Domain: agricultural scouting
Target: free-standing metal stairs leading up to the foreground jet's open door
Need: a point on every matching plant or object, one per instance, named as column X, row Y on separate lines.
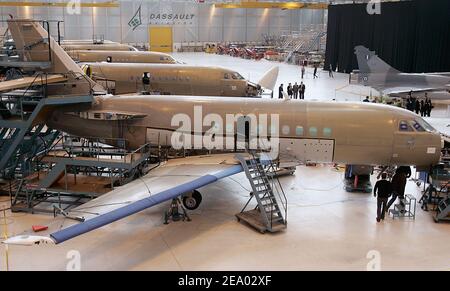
column 270, row 213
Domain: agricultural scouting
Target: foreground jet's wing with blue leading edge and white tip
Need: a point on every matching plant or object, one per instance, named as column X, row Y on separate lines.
column 161, row 184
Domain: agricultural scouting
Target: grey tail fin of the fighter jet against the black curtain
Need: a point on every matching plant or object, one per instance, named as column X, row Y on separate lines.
column 369, row 62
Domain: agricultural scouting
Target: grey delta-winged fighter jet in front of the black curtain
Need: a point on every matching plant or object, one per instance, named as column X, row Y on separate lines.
column 376, row 73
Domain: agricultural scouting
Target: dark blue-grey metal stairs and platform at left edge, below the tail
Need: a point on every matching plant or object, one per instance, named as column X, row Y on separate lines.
column 22, row 132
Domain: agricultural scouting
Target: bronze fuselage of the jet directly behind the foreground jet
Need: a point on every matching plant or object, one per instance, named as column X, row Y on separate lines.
column 171, row 79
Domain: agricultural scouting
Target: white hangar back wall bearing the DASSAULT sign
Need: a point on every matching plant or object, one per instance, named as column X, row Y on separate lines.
column 208, row 24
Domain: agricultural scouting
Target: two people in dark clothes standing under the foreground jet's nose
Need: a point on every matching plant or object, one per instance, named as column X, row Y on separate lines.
column 395, row 188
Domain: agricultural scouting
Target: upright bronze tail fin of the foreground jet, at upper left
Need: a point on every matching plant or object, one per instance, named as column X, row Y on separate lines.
column 35, row 45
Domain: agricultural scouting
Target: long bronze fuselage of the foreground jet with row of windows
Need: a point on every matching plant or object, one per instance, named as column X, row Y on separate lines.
column 330, row 132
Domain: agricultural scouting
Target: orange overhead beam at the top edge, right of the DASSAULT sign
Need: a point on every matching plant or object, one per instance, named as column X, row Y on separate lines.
column 273, row 5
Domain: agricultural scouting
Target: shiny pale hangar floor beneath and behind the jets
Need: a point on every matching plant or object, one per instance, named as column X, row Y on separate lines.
column 329, row 229
